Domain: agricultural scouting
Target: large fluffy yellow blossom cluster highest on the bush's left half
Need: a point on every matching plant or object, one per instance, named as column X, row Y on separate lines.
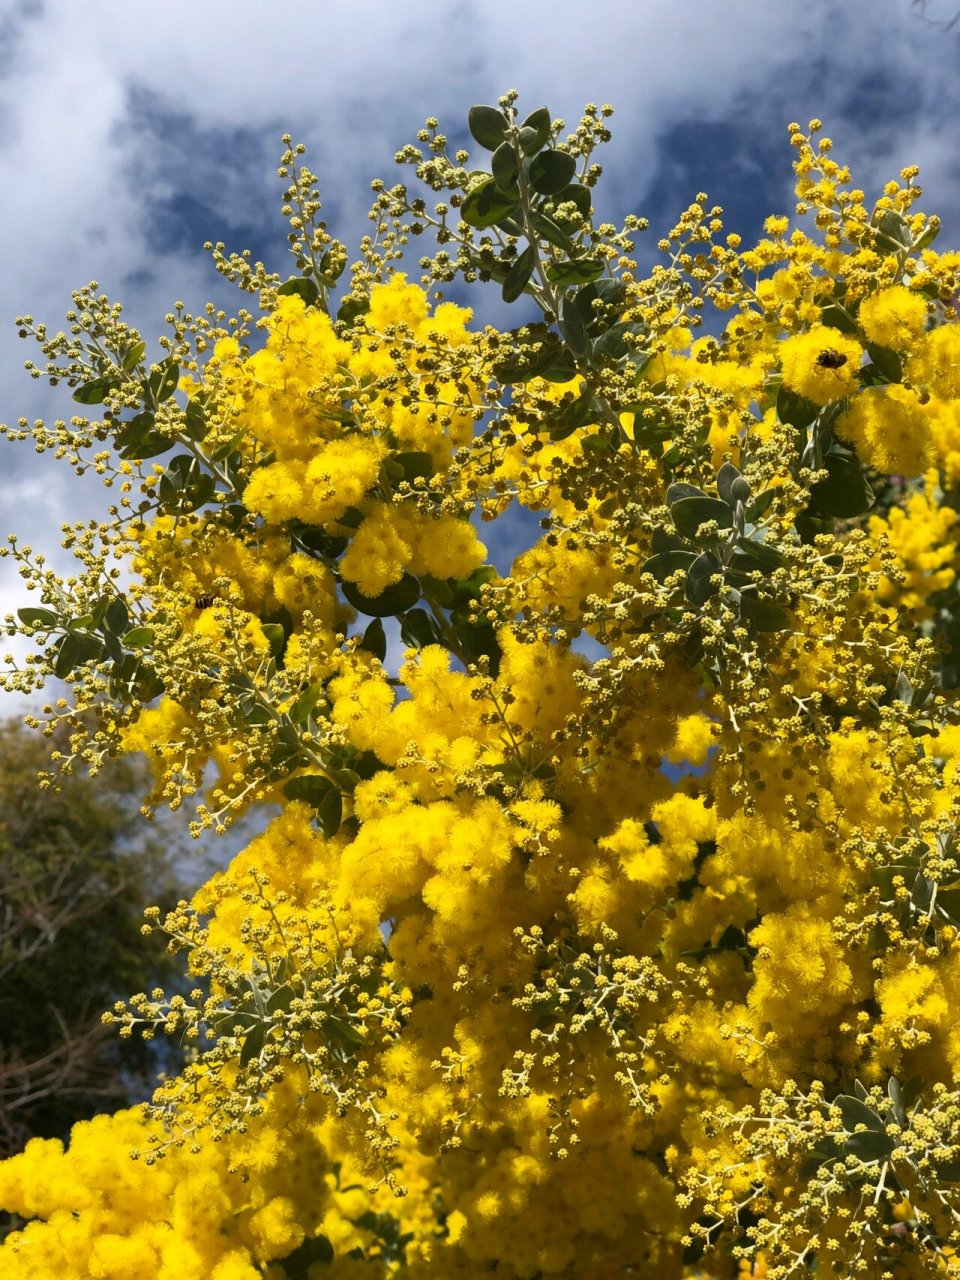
column 316, row 406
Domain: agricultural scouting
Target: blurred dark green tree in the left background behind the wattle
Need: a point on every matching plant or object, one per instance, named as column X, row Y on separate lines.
column 75, row 879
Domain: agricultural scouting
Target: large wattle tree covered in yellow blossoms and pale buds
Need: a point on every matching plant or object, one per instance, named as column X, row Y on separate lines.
column 604, row 921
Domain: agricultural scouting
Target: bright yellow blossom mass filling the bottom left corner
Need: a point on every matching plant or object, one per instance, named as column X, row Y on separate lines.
column 181, row 1217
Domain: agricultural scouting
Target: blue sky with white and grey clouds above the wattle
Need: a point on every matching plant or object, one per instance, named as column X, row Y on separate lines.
column 132, row 132
